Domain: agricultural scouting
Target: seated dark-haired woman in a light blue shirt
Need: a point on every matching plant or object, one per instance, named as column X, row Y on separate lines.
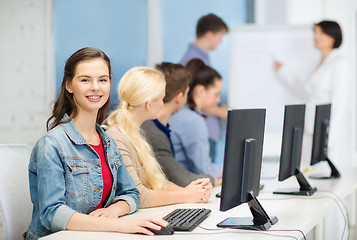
column 189, row 131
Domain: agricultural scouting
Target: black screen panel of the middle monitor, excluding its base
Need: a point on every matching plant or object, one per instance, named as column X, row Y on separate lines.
column 293, row 130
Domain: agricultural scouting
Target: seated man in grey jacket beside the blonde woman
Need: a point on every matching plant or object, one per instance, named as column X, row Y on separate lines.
column 158, row 131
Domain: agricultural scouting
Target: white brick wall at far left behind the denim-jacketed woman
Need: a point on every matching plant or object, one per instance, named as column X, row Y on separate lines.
column 26, row 69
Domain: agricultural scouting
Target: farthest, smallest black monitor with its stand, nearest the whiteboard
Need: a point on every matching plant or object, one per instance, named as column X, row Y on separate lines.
column 320, row 140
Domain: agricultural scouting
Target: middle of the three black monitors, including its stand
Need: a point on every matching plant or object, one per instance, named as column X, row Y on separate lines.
column 290, row 157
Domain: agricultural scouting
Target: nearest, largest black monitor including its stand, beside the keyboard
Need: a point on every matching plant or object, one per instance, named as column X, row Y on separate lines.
column 241, row 169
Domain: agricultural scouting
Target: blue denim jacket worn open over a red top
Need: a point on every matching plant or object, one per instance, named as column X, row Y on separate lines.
column 65, row 177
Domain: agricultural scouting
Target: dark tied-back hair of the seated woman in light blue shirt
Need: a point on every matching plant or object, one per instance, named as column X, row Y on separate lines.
column 201, row 75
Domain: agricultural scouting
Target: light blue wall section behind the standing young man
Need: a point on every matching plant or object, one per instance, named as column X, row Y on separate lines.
column 179, row 18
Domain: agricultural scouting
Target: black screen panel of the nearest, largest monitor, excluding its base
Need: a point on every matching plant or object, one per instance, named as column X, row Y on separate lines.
column 244, row 139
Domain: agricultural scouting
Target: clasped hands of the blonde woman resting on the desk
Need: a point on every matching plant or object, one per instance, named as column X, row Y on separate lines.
column 199, row 190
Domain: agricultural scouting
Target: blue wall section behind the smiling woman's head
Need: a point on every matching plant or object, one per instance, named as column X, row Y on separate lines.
column 119, row 28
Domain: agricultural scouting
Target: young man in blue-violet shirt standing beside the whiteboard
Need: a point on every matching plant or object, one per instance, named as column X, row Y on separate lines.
column 209, row 32
